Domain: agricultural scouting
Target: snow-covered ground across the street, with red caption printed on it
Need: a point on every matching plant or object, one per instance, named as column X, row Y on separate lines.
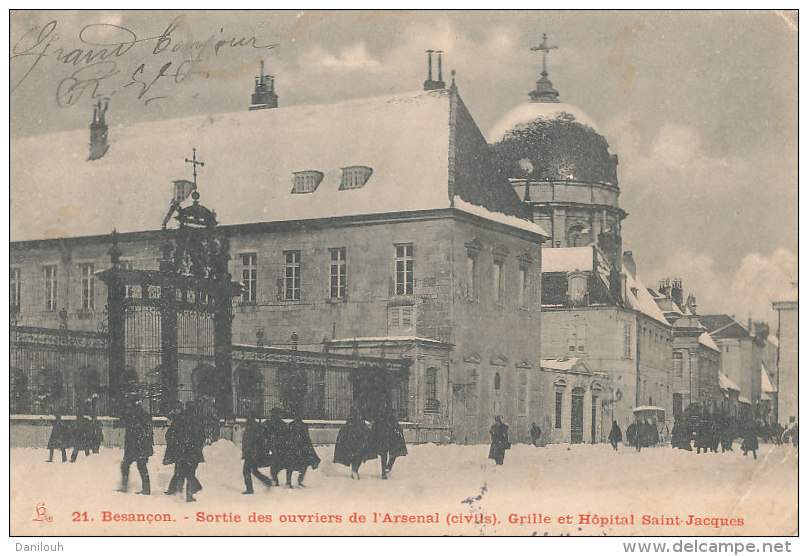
column 449, row 483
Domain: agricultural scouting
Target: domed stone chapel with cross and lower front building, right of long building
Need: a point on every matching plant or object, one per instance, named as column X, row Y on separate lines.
column 594, row 307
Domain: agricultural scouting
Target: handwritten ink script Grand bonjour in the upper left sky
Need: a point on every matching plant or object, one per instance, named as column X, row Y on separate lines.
column 105, row 59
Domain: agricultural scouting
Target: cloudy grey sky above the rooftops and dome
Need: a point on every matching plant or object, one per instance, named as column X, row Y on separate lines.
column 701, row 107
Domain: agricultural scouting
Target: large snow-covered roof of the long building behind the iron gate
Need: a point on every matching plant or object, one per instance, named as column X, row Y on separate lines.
column 249, row 157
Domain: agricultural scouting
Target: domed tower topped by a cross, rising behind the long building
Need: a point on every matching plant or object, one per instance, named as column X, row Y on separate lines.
column 560, row 164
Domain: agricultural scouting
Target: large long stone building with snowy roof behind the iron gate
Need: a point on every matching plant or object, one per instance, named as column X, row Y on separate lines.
column 376, row 228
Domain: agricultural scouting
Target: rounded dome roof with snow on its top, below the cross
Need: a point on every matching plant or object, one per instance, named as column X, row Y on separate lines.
column 552, row 140
